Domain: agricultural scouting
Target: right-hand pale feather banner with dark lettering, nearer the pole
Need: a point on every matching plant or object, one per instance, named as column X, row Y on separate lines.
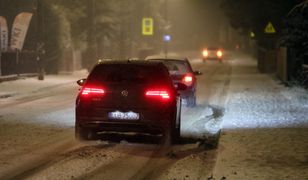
column 19, row 30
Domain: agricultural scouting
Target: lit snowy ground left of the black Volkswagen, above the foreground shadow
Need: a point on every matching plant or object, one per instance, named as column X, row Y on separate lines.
column 30, row 97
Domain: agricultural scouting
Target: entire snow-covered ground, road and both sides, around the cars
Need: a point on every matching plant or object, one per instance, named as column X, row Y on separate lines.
column 264, row 131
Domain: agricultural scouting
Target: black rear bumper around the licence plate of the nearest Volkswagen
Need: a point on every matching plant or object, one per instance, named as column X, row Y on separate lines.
column 151, row 120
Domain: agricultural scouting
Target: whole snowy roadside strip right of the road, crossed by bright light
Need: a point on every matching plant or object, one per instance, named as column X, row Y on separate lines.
column 265, row 125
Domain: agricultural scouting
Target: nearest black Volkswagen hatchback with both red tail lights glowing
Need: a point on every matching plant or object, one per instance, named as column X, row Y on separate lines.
column 131, row 96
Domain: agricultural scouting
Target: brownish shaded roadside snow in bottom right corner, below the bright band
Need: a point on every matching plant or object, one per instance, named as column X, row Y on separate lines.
column 258, row 154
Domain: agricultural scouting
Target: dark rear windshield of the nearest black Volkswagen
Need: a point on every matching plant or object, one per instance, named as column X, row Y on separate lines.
column 128, row 73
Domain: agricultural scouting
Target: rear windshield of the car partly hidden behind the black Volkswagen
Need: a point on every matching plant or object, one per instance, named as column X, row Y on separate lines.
column 175, row 66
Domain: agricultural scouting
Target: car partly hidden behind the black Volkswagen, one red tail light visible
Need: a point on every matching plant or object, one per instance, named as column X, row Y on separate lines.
column 181, row 72
